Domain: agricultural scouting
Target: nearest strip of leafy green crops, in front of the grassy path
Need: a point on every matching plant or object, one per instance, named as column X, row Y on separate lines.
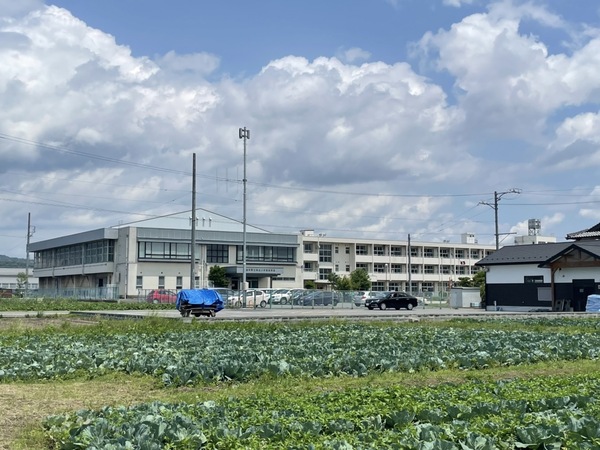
column 549, row 413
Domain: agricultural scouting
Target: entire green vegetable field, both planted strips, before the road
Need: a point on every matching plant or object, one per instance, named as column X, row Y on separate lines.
column 340, row 385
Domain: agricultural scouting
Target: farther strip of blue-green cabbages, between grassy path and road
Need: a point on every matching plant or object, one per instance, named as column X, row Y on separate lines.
column 227, row 353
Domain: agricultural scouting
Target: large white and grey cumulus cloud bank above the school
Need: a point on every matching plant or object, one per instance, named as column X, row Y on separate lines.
column 96, row 135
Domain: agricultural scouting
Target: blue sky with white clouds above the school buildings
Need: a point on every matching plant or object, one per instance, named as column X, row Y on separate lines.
column 371, row 119
